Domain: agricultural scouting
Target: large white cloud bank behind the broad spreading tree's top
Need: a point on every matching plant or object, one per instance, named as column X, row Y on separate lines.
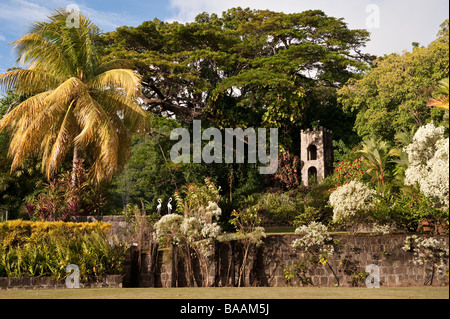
column 401, row 22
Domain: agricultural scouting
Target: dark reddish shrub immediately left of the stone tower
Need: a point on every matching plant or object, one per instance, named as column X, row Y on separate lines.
column 287, row 173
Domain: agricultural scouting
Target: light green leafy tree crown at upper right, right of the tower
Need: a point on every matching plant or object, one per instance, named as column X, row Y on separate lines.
column 393, row 95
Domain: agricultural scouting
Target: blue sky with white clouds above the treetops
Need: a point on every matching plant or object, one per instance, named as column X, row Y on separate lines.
column 393, row 24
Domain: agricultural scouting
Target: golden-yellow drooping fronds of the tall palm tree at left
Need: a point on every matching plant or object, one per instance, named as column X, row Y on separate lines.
column 76, row 104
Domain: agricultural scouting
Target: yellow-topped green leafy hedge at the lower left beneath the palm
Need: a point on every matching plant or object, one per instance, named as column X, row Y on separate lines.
column 46, row 248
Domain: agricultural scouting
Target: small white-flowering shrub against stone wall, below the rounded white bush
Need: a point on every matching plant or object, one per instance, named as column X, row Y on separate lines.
column 315, row 241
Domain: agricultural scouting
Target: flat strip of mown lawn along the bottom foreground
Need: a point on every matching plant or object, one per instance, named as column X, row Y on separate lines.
column 231, row 293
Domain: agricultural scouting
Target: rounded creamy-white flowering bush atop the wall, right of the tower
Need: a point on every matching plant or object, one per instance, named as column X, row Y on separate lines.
column 351, row 198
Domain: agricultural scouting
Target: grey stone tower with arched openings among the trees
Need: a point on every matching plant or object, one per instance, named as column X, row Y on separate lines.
column 316, row 154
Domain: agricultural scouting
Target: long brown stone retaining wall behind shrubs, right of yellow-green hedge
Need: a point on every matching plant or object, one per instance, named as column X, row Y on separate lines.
column 268, row 262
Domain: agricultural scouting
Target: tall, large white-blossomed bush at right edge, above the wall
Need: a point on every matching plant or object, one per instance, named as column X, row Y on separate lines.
column 428, row 157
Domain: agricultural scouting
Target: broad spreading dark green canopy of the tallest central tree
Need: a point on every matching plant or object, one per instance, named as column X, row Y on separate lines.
column 248, row 67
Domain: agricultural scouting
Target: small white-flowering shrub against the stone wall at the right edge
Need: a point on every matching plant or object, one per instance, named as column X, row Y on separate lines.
column 428, row 250
